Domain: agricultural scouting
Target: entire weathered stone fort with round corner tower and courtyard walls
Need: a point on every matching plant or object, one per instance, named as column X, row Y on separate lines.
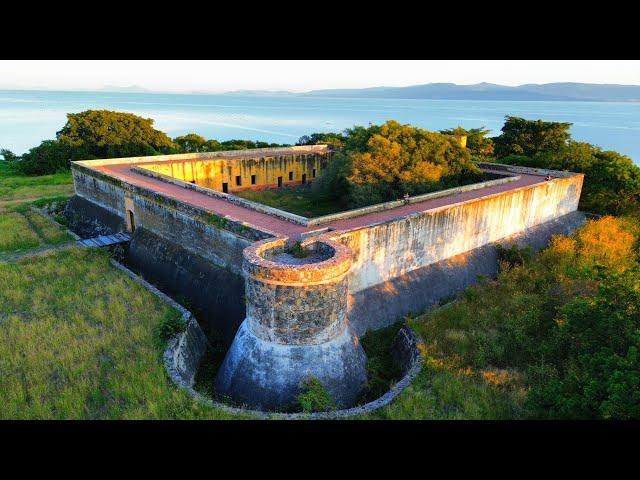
column 288, row 317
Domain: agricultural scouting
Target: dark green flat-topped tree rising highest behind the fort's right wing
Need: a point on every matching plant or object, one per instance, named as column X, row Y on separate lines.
column 528, row 137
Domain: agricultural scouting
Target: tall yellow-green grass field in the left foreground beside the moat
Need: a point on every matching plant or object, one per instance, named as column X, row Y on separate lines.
column 78, row 339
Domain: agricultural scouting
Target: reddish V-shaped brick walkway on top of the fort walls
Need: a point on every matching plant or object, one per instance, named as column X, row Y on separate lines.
column 282, row 227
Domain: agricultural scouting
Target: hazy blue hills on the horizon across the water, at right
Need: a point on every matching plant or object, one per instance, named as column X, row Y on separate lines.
column 489, row 91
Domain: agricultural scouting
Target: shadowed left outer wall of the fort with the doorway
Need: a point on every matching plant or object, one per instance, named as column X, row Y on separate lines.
column 191, row 254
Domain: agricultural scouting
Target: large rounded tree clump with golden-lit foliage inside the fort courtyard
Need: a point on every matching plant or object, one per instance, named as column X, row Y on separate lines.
column 383, row 162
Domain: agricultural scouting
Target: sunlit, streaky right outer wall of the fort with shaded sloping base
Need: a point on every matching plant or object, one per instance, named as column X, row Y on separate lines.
column 406, row 265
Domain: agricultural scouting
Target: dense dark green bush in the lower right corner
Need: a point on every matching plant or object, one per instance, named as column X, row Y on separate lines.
column 595, row 352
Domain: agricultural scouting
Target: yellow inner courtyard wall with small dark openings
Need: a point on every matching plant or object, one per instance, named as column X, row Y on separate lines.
column 213, row 173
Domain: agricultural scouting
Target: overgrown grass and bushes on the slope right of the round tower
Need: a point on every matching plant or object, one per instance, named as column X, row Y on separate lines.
column 556, row 337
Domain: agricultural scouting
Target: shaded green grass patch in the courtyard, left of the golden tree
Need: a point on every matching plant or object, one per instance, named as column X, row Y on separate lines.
column 300, row 200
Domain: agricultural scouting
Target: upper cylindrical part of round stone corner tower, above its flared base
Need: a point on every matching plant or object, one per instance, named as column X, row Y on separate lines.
column 296, row 301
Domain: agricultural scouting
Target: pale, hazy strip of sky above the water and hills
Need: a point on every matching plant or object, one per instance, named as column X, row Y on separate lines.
column 302, row 75
